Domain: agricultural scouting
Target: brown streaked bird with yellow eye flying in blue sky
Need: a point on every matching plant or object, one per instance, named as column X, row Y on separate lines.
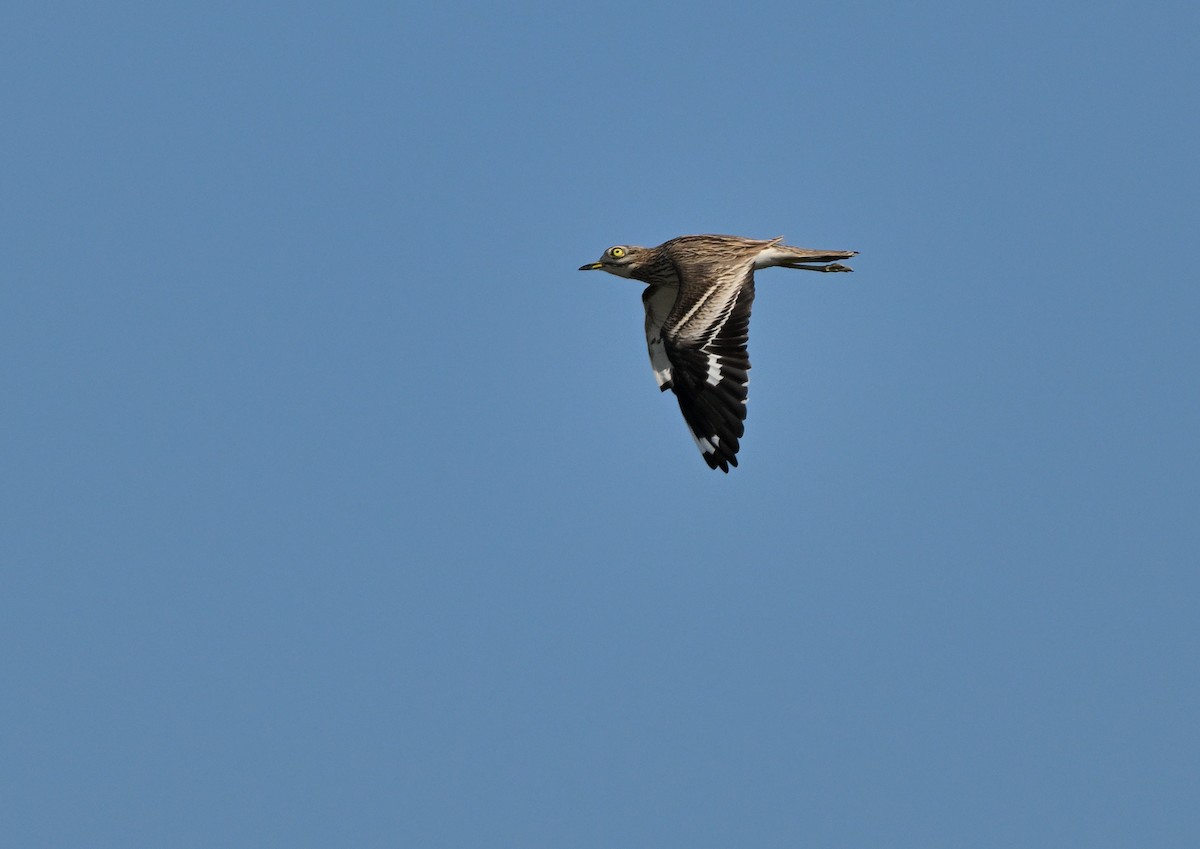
column 698, row 321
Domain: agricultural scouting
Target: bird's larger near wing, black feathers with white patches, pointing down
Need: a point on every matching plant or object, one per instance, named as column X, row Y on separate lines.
column 705, row 341
